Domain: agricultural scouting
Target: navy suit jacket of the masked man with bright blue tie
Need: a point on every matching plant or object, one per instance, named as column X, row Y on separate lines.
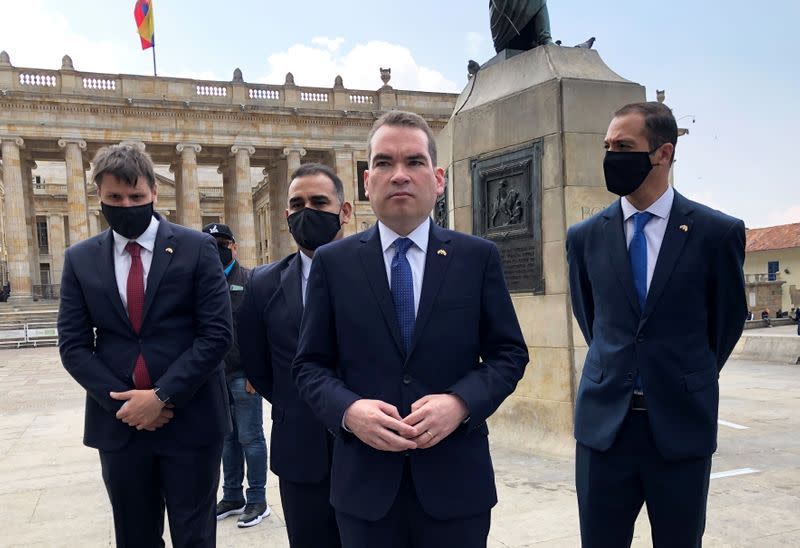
column 693, row 316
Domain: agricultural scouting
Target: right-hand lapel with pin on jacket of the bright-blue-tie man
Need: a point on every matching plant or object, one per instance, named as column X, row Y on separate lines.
column 671, row 246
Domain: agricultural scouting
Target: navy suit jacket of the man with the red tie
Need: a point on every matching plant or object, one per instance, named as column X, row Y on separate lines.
column 185, row 333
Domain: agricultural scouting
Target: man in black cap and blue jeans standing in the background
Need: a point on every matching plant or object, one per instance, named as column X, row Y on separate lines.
column 245, row 446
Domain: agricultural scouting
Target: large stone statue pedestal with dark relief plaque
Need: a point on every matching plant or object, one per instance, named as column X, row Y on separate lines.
column 546, row 111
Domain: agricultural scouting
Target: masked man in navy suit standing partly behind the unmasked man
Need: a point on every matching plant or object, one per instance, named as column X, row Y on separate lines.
column 269, row 325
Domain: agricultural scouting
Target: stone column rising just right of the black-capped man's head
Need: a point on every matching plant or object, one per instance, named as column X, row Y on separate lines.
column 243, row 187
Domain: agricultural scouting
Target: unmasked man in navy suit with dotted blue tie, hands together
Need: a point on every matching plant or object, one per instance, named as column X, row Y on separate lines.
column 409, row 342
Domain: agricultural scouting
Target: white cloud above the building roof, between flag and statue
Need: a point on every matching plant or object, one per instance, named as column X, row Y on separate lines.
column 318, row 64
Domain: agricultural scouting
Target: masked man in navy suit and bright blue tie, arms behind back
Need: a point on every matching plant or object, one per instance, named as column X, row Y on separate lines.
column 658, row 292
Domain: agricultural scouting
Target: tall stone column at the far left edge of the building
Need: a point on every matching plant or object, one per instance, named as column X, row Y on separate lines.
column 17, row 235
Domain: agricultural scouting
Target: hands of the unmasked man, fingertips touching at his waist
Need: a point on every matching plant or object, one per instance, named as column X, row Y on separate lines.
column 432, row 419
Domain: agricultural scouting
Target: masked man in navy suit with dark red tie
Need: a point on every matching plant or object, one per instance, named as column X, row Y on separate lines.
column 144, row 323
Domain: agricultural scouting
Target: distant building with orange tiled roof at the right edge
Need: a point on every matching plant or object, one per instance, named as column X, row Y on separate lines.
column 772, row 268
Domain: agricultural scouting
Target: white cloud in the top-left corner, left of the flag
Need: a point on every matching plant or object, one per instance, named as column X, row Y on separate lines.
column 39, row 38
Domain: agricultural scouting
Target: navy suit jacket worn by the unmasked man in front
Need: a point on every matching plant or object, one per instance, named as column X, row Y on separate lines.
column 466, row 341
